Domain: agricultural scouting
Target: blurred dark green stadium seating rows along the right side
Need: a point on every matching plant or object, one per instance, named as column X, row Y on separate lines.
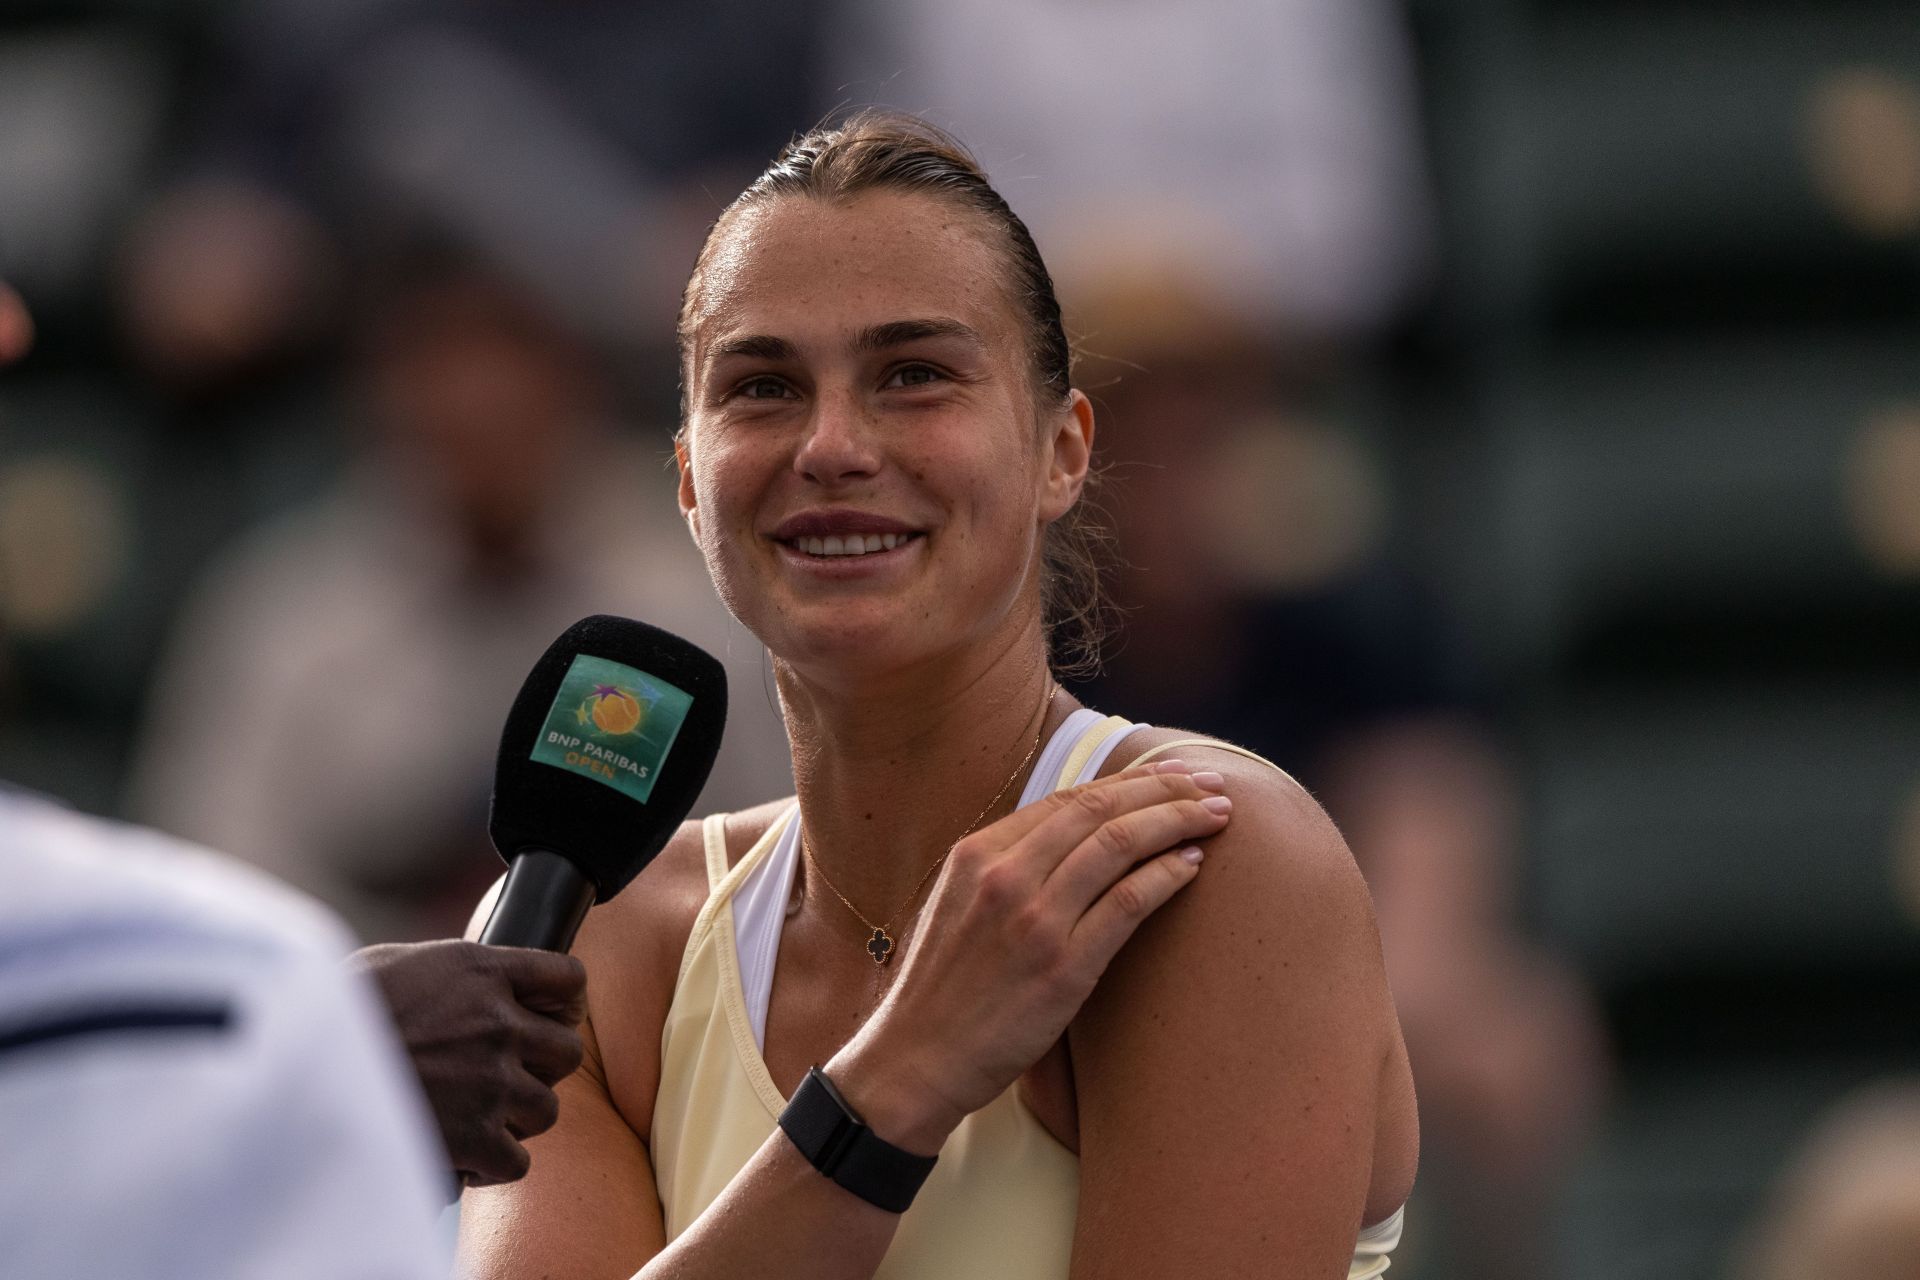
column 1679, row 344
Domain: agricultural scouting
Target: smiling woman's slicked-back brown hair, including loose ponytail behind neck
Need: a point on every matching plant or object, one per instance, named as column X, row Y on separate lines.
column 898, row 153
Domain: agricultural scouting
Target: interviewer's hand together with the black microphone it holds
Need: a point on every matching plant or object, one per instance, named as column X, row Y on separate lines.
column 604, row 753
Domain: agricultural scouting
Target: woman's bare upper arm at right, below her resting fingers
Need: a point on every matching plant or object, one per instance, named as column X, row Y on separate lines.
column 1239, row 1066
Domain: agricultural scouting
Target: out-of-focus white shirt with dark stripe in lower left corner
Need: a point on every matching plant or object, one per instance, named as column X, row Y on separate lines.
column 191, row 1083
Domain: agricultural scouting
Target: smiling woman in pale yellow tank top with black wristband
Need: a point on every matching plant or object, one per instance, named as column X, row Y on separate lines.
column 1126, row 1060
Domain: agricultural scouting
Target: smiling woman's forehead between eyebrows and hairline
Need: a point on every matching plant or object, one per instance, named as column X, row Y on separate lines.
column 804, row 268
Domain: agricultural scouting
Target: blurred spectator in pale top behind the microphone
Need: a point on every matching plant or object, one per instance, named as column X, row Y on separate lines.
column 333, row 696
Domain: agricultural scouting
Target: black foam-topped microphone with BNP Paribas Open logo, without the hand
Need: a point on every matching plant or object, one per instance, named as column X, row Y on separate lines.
column 604, row 753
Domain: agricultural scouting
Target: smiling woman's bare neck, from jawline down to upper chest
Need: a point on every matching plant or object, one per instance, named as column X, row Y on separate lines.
column 892, row 772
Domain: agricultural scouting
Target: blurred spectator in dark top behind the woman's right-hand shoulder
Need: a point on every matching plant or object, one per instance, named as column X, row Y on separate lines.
column 1255, row 533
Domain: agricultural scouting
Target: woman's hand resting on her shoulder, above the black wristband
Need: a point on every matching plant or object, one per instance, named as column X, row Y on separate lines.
column 1022, row 922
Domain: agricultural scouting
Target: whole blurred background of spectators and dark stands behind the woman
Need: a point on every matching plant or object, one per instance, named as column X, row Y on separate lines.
column 1512, row 414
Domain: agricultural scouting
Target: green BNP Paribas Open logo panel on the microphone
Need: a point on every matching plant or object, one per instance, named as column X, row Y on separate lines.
column 612, row 723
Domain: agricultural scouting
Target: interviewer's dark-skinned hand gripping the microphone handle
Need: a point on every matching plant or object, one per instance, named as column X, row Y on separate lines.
column 491, row 1030
